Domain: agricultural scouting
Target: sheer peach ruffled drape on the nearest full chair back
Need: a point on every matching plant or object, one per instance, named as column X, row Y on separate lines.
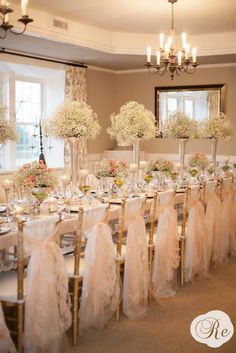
column 47, row 311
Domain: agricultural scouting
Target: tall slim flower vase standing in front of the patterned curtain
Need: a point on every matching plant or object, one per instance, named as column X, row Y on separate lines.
column 74, row 158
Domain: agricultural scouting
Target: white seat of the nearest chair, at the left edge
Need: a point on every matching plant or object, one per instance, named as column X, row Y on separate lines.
column 8, row 287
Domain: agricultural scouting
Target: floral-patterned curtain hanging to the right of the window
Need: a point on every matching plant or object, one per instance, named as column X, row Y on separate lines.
column 76, row 89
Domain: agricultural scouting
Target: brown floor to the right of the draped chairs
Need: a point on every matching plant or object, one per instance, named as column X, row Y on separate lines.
column 167, row 330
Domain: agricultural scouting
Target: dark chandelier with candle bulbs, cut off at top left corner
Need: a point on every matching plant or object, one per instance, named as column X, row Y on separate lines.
column 5, row 10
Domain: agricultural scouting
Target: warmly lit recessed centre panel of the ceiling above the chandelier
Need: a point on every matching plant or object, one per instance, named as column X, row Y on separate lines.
column 146, row 16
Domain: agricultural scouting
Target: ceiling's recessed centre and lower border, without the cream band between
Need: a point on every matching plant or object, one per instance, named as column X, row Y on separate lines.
column 132, row 16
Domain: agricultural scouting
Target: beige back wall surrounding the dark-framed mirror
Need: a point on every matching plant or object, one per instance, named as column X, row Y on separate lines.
column 107, row 92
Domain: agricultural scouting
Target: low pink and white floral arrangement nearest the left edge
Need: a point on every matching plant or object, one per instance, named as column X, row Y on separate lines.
column 35, row 175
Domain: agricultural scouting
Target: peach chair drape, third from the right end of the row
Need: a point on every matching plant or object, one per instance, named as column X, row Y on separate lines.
column 195, row 242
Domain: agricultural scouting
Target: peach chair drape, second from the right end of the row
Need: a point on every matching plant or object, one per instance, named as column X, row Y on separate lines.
column 212, row 217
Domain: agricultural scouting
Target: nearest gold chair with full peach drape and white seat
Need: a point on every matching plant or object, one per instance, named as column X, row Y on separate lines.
column 43, row 294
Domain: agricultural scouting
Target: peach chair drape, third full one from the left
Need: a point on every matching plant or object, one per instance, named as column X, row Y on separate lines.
column 135, row 288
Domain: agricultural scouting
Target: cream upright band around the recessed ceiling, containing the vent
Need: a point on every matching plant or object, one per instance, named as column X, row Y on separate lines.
column 80, row 34
